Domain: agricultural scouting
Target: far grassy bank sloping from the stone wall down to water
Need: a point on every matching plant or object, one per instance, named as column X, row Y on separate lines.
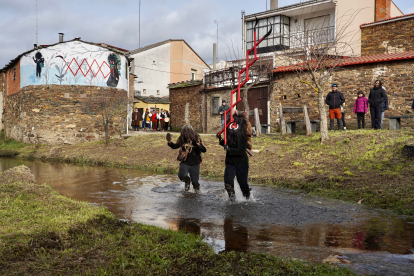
column 355, row 165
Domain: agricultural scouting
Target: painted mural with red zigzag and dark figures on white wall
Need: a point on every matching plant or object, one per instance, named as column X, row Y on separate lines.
column 74, row 63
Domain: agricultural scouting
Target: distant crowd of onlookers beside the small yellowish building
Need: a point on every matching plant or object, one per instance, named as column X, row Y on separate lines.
column 151, row 119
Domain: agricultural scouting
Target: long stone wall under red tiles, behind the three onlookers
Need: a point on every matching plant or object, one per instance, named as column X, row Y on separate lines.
column 395, row 75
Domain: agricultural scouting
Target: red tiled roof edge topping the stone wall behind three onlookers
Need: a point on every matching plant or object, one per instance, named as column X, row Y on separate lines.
column 358, row 60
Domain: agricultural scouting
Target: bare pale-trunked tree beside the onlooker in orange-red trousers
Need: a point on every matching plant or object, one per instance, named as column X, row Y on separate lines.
column 315, row 51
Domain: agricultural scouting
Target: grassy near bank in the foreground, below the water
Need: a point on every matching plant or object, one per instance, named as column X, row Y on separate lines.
column 44, row 233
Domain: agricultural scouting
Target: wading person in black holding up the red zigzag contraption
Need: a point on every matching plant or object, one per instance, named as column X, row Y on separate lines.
column 237, row 161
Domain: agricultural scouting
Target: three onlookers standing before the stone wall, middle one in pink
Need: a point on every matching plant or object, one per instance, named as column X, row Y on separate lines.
column 377, row 101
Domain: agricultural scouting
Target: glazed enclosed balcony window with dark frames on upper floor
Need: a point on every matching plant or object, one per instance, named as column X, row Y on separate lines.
column 277, row 40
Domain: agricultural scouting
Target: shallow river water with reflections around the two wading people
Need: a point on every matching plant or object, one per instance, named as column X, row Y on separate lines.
column 281, row 222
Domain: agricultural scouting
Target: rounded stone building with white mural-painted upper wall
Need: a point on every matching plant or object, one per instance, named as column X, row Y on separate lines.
column 45, row 86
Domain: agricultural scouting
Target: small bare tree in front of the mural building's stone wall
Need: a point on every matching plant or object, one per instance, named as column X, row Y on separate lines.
column 105, row 107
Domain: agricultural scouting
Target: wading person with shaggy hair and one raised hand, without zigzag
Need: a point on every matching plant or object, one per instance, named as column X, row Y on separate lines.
column 189, row 141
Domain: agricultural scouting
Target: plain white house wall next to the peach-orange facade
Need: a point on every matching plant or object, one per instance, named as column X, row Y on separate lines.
column 152, row 67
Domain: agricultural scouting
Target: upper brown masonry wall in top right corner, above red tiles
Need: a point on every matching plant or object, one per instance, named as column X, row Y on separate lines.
column 388, row 37
